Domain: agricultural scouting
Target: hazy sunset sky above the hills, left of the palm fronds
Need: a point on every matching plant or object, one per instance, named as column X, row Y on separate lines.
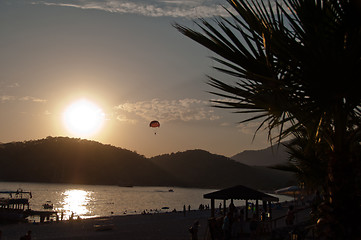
column 126, row 63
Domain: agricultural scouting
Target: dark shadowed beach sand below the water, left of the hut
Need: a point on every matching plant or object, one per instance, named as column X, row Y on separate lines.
column 142, row 227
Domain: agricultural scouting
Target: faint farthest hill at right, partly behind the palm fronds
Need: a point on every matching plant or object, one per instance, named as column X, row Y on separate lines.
column 264, row 157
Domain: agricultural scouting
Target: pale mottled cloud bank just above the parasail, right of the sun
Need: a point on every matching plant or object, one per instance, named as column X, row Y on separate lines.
column 167, row 110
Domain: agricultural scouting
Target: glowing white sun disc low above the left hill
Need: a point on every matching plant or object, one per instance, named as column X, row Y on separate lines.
column 83, row 118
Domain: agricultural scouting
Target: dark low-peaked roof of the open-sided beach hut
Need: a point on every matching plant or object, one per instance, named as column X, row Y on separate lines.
column 240, row 192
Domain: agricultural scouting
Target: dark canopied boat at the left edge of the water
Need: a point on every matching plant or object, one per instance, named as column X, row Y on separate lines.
column 14, row 205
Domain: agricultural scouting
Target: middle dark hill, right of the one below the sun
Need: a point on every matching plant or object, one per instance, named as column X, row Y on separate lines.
column 210, row 170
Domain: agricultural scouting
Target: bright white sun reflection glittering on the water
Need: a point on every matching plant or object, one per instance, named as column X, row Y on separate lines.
column 75, row 203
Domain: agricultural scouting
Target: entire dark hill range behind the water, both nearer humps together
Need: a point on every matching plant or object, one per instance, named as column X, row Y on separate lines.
column 71, row 160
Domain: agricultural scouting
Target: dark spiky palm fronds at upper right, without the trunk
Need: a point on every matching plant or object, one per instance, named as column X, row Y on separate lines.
column 280, row 56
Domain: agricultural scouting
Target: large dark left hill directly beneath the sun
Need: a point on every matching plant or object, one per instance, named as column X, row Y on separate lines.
column 71, row 160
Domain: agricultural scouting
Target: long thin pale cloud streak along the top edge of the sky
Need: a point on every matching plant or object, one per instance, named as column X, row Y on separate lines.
column 153, row 8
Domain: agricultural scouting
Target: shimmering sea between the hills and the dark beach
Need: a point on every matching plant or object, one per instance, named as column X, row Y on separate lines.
column 89, row 201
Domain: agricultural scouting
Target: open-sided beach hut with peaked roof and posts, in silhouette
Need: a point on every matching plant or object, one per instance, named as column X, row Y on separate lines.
column 240, row 192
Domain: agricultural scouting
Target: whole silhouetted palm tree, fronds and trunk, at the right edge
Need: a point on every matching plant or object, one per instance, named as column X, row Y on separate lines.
column 297, row 64
